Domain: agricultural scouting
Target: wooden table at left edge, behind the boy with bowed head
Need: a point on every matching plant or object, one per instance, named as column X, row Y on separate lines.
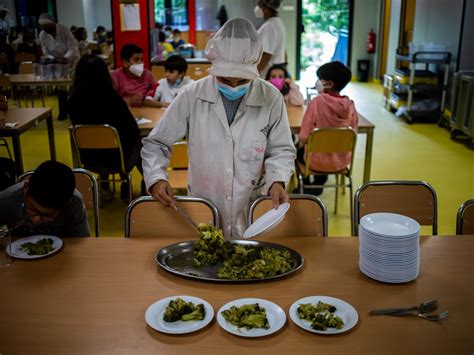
column 27, row 118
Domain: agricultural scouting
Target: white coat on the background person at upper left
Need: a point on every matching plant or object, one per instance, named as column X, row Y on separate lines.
column 64, row 45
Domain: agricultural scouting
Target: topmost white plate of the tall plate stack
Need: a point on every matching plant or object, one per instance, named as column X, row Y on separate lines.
column 390, row 224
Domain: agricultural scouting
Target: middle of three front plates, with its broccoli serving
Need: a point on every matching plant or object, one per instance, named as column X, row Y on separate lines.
column 251, row 317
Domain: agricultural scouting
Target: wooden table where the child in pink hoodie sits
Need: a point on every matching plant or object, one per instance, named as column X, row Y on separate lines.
column 295, row 116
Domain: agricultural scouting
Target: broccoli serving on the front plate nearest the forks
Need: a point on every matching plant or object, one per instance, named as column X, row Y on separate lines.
column 320, row 315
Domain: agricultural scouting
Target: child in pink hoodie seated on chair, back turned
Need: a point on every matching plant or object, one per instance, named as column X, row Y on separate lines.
column 328, row 109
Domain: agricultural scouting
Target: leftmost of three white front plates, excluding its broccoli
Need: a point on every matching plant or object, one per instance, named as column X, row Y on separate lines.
column 154, row 316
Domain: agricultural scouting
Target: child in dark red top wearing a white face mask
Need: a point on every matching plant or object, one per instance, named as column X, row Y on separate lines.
column 132, row 82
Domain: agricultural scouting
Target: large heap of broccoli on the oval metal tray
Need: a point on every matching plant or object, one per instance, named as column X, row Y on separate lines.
column 240, row 261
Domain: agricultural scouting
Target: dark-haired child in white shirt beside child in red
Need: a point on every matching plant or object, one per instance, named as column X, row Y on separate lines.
column 170, row 86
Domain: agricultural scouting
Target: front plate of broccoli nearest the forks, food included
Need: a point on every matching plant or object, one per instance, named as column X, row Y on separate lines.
column 323, row 314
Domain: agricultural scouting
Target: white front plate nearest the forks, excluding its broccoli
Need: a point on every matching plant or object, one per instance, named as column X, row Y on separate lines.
column 344, row 310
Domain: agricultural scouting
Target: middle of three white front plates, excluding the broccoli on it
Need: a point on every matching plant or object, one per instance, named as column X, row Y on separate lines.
column 275, row 315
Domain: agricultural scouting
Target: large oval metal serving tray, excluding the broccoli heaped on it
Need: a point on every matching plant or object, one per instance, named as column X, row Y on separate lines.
column 178, row 259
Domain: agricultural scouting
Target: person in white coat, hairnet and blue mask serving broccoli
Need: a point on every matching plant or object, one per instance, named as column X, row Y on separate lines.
column 239, row 140
